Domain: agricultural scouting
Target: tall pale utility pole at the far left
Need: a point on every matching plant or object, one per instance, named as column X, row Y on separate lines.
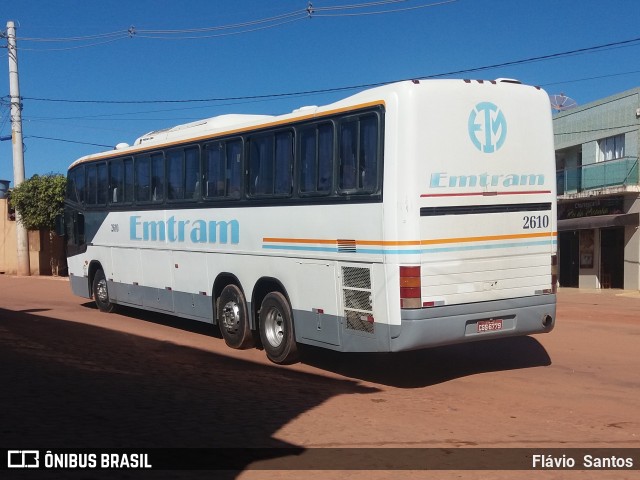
column 24, row 264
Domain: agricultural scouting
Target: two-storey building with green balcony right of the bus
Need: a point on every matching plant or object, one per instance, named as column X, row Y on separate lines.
column 599, row 193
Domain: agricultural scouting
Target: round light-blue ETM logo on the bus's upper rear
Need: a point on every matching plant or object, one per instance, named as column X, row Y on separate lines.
column 487, row 127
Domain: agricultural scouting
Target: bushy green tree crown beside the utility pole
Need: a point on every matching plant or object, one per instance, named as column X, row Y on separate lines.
column 40, row 200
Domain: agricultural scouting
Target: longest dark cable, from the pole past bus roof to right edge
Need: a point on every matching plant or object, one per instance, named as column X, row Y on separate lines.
column 551, row 56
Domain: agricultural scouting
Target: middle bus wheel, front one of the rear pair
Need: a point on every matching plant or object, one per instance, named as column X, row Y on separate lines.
column 233, row 318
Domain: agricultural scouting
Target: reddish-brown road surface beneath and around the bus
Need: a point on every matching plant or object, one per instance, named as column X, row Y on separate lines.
column 74, row 377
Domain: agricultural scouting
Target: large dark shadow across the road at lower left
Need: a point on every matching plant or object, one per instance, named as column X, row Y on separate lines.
column 70, row 385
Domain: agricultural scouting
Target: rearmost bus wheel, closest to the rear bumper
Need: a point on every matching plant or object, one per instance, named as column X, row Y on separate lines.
column 276, row 329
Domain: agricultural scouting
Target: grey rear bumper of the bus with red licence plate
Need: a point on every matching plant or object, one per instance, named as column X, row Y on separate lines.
column 447, row 325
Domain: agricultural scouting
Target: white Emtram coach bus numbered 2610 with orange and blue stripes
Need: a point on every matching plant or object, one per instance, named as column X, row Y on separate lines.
column 411, row 215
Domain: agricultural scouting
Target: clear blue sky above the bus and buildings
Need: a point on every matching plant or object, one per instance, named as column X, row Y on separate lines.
column 97, row 73
